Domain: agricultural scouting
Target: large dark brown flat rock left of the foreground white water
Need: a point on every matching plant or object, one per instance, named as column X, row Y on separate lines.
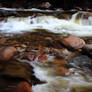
column 15, row 69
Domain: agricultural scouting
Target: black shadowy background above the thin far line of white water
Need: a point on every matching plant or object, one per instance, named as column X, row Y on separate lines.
column 65, row 4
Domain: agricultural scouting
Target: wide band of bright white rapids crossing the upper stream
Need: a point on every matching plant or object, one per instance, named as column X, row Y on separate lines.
column 79, row 27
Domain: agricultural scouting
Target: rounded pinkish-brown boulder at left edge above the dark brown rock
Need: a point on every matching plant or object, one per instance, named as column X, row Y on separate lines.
column 7, row 53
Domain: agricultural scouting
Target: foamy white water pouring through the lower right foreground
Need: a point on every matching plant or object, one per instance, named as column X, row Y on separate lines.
column 57, row 83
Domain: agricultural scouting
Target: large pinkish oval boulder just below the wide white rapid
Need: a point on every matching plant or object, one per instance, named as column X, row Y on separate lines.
column 73, row 42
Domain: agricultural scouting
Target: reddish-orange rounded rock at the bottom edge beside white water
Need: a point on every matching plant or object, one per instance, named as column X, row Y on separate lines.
column 24, row 87
